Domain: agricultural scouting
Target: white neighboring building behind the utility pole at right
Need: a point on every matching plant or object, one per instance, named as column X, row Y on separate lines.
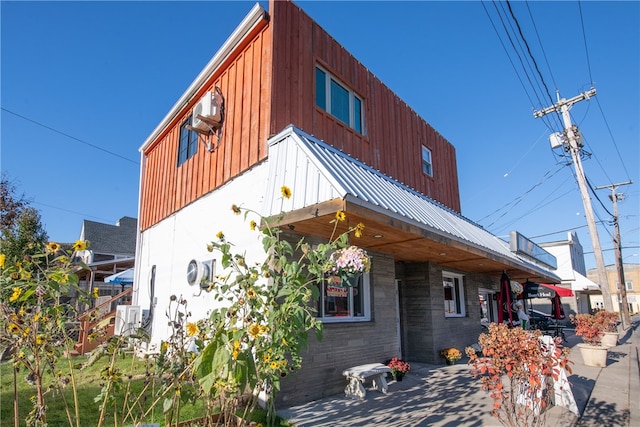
column 572, row 271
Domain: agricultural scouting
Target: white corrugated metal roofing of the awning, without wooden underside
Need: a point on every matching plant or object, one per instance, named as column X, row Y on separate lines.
column 319, row 172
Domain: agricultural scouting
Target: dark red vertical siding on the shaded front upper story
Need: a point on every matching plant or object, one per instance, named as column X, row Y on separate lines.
column 394, row 132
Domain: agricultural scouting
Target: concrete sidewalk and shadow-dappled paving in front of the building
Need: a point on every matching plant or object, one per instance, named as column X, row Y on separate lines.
column 440, row 395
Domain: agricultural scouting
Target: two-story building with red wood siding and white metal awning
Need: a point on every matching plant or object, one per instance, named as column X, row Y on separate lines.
column 299, row 110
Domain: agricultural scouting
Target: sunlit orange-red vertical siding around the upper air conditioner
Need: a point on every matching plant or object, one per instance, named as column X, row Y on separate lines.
column 245, row 80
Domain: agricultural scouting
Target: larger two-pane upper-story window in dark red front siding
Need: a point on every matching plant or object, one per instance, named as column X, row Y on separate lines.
column 338, row 100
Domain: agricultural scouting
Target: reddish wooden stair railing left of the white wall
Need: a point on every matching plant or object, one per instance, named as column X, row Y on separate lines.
column 89, row 321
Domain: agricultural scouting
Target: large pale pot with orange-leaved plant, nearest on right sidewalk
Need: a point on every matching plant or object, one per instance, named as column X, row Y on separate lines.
column 591, row 328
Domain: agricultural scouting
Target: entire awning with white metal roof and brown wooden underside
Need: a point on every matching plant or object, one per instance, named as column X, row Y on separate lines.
column 398, row 220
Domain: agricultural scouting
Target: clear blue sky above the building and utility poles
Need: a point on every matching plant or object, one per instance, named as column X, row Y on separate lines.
column 85, row 83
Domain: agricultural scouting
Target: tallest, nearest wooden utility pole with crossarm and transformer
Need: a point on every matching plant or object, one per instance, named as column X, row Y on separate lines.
column 573, row 144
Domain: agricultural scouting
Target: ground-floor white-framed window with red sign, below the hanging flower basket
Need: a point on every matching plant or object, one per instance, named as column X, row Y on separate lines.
column 344, row 302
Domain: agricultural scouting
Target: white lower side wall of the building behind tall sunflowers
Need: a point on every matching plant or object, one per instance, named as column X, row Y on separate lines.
column 171, row 244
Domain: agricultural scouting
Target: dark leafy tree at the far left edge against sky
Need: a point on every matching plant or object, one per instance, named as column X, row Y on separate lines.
column 21, row 231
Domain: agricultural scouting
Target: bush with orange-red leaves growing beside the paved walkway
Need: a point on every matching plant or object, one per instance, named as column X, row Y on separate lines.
column 518, row 370
